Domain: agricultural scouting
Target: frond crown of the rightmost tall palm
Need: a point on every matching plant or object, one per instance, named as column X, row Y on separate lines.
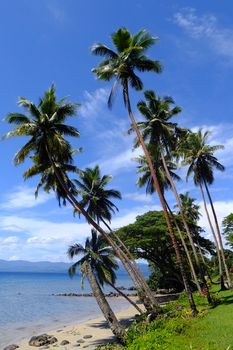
column 200, row 157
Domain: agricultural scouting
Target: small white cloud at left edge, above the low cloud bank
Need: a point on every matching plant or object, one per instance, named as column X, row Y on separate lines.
column 23, row 197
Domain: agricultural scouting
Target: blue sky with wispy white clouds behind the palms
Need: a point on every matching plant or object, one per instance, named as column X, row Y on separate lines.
column 47, row 41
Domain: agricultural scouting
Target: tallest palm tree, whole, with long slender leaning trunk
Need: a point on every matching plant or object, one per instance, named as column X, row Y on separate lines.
column 121, row 66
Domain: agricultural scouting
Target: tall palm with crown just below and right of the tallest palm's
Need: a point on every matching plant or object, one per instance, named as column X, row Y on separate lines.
column 161, row 132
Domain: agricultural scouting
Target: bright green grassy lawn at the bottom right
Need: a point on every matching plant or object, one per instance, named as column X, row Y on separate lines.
column 212, row 329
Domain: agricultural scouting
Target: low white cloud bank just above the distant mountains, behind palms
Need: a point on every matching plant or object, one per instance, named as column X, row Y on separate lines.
column 48, row 240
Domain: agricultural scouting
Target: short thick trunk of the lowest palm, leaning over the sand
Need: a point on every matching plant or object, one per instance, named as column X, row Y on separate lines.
column 114, row 324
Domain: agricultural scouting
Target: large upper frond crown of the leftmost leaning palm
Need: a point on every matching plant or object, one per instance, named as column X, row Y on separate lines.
column 45, row 125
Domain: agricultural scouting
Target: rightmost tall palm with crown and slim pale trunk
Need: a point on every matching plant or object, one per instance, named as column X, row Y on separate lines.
column 199, row 156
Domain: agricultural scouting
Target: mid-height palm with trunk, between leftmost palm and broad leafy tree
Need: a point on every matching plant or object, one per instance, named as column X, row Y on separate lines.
column 96, row 201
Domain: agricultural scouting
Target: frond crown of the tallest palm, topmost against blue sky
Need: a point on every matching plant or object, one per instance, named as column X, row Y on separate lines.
column 128, row 58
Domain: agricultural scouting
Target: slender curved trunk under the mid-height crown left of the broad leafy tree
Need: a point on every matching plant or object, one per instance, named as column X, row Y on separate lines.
column 136, row 270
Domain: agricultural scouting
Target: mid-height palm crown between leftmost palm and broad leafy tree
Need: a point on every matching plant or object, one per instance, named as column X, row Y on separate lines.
column 95, row 196
